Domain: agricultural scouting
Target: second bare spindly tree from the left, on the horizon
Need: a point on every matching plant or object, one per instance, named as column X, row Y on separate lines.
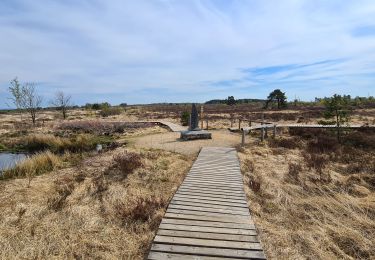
column 30, row 100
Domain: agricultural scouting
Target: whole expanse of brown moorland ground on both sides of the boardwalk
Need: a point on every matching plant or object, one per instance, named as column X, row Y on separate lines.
column 310, row 196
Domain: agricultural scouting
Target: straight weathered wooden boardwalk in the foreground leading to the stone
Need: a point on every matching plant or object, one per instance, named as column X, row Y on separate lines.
column 208, row 217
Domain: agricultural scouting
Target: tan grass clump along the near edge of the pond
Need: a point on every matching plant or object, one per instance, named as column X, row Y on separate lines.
column 35, row 165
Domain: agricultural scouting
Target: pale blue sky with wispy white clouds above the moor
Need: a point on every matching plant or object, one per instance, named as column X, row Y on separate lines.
column 188, row 51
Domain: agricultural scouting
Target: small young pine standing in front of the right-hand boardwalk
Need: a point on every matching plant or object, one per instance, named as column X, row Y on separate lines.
column 338, row 108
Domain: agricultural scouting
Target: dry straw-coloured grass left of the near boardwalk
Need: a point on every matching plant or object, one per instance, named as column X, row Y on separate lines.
column 91, row 211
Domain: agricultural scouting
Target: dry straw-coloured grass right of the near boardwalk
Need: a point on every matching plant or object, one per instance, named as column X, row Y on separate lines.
column 302, row 216
